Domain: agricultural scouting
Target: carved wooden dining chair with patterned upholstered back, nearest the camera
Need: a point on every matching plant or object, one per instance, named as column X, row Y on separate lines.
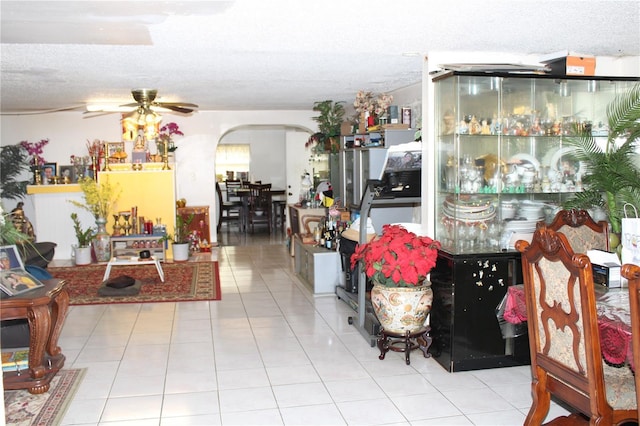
column 566, row 361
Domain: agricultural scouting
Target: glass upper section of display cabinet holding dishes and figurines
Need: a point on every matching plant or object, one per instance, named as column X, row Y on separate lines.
column 503, row 162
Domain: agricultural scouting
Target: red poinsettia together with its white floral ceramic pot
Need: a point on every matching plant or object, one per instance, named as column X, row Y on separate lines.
column 398, row 263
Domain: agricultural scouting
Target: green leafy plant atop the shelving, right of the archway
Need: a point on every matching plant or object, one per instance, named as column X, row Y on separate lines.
column 329, row 122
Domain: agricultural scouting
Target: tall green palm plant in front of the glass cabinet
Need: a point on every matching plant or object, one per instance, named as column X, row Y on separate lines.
column 612, row 173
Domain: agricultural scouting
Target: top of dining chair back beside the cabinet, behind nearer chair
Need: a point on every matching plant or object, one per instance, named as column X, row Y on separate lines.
column 582, row 232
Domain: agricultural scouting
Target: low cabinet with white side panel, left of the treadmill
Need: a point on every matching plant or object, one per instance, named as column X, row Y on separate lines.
column 318, row 268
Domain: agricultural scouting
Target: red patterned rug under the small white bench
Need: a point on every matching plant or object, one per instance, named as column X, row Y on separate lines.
column 188, row 281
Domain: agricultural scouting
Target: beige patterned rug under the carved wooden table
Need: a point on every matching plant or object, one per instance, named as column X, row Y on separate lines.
column 24, row 409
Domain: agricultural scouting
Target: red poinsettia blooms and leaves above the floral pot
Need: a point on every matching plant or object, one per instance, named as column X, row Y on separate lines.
column 398, row 258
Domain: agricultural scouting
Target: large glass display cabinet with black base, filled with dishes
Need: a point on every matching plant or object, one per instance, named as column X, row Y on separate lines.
column 502, row 165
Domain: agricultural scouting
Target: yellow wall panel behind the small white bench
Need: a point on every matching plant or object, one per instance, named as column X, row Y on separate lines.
column 152, row 191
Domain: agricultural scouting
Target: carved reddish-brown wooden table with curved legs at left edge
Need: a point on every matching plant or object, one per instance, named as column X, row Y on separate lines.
column 46, row 309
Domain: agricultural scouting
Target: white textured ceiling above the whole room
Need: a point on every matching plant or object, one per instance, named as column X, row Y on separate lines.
column 274, row 54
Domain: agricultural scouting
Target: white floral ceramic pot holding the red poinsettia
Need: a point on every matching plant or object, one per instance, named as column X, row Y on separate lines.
column 402, row 308
